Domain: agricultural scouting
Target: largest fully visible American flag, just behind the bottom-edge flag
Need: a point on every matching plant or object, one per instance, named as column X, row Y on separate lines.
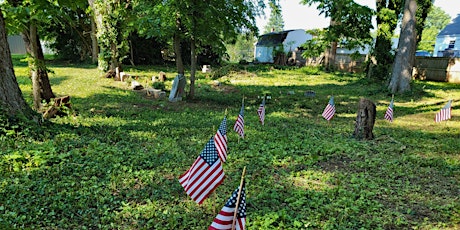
column 205, row 174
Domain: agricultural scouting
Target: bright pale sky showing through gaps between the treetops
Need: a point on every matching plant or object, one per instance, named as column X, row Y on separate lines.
column 298, row 16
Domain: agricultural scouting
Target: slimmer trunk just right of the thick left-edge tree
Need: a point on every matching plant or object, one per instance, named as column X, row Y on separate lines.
column 41, row 87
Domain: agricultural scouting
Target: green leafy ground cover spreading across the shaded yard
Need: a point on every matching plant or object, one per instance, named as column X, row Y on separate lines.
column 115, row 162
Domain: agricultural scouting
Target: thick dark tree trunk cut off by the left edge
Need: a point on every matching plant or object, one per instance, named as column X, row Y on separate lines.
column 11, row 101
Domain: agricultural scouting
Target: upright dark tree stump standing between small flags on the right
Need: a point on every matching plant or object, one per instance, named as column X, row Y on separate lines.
column 365, row 120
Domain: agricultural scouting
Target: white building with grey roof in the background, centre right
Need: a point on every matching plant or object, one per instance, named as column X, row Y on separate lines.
column 285, row 41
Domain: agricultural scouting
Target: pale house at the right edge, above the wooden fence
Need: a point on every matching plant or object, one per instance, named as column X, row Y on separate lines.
column 448, row 40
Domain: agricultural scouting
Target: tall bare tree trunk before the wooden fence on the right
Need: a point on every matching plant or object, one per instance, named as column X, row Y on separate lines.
column 402, row 69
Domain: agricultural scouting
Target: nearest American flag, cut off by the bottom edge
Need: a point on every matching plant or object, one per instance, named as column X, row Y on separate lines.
column 224, row 220
